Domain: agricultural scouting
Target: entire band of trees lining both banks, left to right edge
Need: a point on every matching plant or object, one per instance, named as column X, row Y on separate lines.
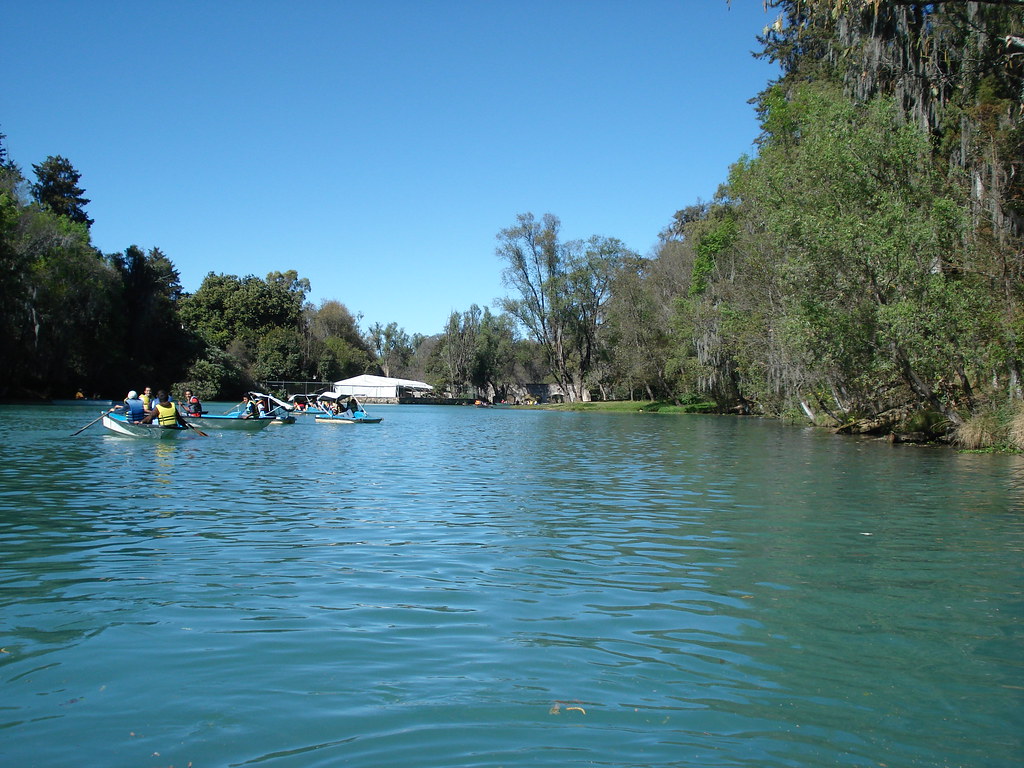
column 863, row 270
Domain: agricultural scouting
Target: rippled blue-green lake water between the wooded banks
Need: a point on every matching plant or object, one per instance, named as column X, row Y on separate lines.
column 459, row 587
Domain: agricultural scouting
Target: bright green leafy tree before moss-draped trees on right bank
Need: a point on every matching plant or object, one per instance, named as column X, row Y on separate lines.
column 862, row 226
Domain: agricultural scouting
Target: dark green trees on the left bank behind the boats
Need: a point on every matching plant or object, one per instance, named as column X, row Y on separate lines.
column 75, row 318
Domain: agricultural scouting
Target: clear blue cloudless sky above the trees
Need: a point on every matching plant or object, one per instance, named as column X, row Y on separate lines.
column 379, row 148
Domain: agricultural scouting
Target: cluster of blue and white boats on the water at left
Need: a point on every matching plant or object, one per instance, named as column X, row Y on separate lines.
column 328, row 408
